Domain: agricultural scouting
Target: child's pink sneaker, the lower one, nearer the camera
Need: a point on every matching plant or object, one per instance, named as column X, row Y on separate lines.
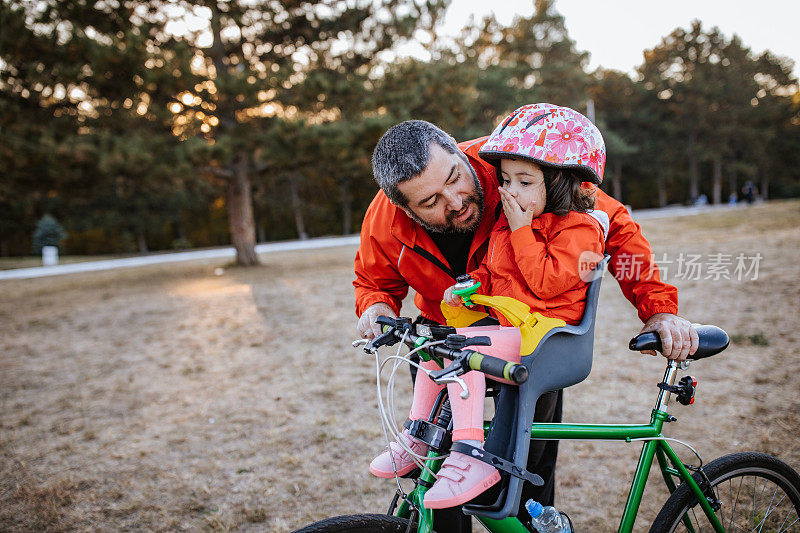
column 461, row 478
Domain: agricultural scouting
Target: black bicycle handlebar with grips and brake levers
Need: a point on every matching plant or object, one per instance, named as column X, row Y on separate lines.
column 463, row 359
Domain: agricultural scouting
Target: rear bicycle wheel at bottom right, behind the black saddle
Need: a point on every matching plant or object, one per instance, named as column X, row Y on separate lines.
column 739, row 477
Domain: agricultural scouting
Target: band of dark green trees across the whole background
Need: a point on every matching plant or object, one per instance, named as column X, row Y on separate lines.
column 137, row 138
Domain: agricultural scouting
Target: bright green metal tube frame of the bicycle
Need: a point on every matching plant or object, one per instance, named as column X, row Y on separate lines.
column 654, row 447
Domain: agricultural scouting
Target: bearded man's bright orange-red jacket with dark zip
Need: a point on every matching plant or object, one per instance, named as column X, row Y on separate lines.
column 396, row 253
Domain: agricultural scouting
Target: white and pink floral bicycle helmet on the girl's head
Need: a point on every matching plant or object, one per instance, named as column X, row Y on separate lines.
column 549, row 135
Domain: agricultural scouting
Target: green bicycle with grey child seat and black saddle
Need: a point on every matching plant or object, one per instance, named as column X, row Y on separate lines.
column 747, row 491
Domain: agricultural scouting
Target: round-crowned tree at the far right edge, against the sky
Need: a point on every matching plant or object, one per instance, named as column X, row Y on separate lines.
column 724, row 100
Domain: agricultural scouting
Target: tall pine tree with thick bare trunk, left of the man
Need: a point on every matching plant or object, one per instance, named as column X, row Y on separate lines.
column 260, row 54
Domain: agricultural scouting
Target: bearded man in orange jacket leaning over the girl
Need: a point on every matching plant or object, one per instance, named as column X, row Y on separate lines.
column 430, row 223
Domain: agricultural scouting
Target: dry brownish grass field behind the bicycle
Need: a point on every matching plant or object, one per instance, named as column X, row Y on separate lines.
column 168, row 398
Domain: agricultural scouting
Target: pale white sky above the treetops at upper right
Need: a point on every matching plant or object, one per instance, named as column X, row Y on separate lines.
column 616, row 32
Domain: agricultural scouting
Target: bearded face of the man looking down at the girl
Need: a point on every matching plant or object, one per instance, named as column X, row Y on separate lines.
column 447, row 196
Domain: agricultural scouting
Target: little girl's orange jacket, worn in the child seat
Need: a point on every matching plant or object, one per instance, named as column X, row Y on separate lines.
column 539, row 264
